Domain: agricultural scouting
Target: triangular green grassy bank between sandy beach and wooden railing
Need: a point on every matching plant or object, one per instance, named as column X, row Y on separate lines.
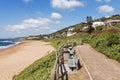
column 39, row 70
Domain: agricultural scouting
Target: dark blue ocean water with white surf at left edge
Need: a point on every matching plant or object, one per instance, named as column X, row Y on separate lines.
column 6, row 43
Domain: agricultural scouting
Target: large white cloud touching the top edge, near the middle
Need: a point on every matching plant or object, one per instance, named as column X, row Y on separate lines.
column 66, row 4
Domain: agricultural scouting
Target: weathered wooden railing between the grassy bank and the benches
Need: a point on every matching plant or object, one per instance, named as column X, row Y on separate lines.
column 58, row 65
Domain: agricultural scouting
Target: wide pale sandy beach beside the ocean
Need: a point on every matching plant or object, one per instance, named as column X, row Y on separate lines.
column 13, row 60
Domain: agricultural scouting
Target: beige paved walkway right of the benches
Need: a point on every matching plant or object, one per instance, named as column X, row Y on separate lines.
column 98, row 65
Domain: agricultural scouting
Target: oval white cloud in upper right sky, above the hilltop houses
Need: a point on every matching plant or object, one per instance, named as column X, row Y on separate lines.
column 106, row 9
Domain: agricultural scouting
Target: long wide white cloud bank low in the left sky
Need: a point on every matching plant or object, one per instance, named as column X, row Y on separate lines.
column 41, row 23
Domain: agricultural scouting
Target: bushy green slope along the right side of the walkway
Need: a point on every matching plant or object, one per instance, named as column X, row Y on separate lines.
column 108, row 42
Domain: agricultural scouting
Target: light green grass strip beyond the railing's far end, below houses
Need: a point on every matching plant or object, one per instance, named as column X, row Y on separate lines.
column 72, row 39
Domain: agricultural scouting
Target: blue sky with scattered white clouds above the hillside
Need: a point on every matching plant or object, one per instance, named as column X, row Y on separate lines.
column 19, row 18
